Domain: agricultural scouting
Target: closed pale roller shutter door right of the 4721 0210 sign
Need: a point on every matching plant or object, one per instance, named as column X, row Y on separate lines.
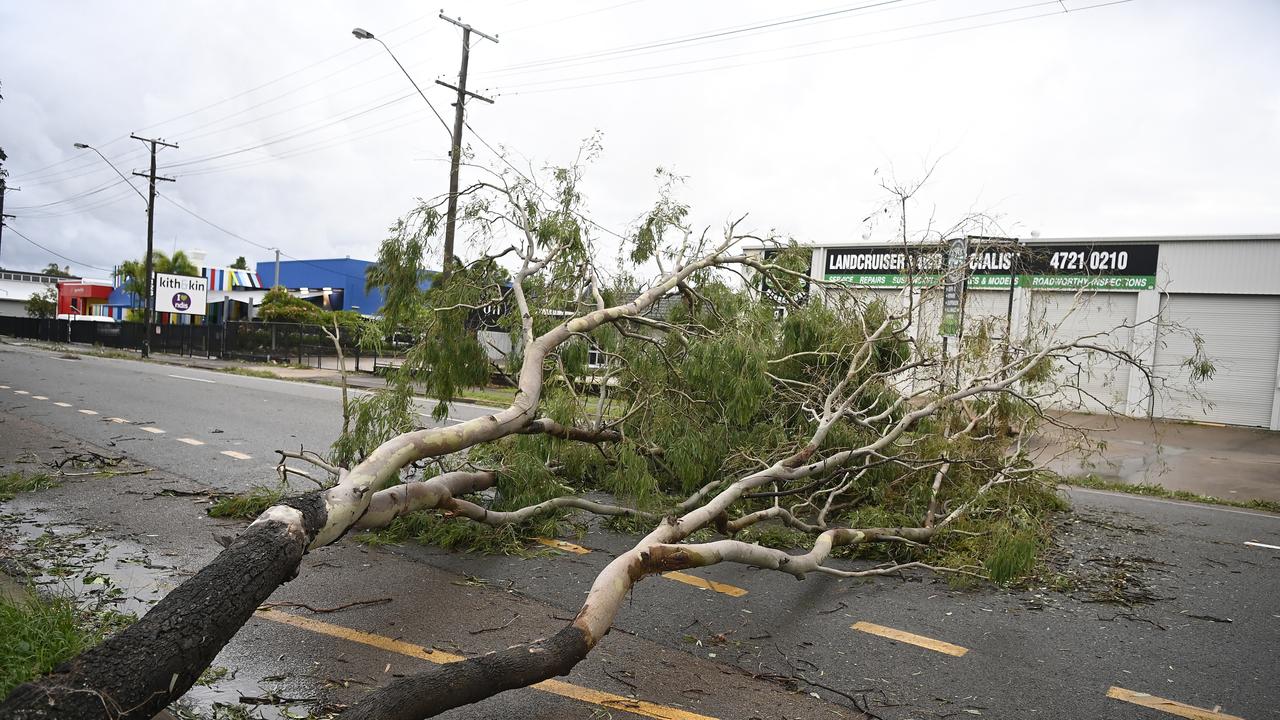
column 1242, row 336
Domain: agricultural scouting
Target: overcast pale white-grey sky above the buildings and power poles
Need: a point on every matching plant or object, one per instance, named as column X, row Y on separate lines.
column 1073, row 119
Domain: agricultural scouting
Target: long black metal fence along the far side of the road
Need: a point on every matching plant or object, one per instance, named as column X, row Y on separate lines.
column 254, row 341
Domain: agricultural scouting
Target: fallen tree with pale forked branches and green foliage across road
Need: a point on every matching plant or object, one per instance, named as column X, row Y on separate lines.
column 801, row 423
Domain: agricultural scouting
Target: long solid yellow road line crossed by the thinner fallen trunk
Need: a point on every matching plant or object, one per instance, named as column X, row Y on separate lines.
column 554, row 687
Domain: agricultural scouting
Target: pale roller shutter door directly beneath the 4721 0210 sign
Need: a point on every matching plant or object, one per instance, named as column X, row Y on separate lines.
column 1064, row 317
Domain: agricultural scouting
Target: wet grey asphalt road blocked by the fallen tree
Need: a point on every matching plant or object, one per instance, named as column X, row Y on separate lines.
column 1200, row 623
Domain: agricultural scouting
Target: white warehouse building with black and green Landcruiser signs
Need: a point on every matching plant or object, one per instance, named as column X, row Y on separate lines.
column 1153, row 294
